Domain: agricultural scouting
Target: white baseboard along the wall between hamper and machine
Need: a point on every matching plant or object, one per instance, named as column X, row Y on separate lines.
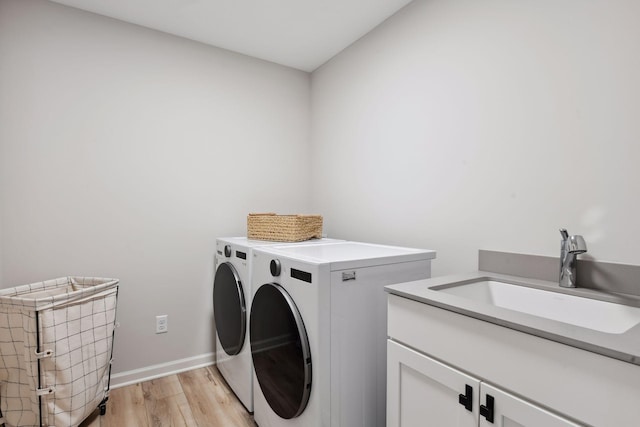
column 147, row 373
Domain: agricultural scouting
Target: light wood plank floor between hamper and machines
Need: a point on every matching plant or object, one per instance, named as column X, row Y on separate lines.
column 199, row 398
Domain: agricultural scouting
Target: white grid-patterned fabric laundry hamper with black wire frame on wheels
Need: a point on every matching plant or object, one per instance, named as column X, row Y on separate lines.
column 56, row 341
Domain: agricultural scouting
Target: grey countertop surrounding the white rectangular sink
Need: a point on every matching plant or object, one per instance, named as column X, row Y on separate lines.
column 624, row 346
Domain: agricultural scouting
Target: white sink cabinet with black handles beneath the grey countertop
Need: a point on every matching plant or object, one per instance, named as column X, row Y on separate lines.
column 522, row 372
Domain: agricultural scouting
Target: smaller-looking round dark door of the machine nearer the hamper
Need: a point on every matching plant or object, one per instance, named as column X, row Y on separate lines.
column 229, row 309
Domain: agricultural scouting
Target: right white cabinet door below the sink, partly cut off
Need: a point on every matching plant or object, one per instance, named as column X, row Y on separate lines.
column 507, row 410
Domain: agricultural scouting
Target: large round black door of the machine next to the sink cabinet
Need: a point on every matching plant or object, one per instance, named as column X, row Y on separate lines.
column 280, row 350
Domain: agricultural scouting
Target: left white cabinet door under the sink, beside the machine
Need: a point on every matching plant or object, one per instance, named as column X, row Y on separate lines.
column 424, row 392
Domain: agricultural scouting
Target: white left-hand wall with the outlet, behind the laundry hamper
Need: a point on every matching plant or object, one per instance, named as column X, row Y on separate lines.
column 125, row 152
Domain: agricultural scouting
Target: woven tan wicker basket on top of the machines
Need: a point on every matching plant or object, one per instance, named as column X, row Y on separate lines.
column 284, row 228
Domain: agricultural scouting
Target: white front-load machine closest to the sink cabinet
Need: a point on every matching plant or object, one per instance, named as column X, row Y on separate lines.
column 318, row 331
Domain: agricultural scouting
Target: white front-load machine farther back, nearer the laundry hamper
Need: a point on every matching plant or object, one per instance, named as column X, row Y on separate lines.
column 232, row 302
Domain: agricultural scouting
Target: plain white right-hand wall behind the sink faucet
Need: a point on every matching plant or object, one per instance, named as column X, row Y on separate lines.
column 460, row 125
